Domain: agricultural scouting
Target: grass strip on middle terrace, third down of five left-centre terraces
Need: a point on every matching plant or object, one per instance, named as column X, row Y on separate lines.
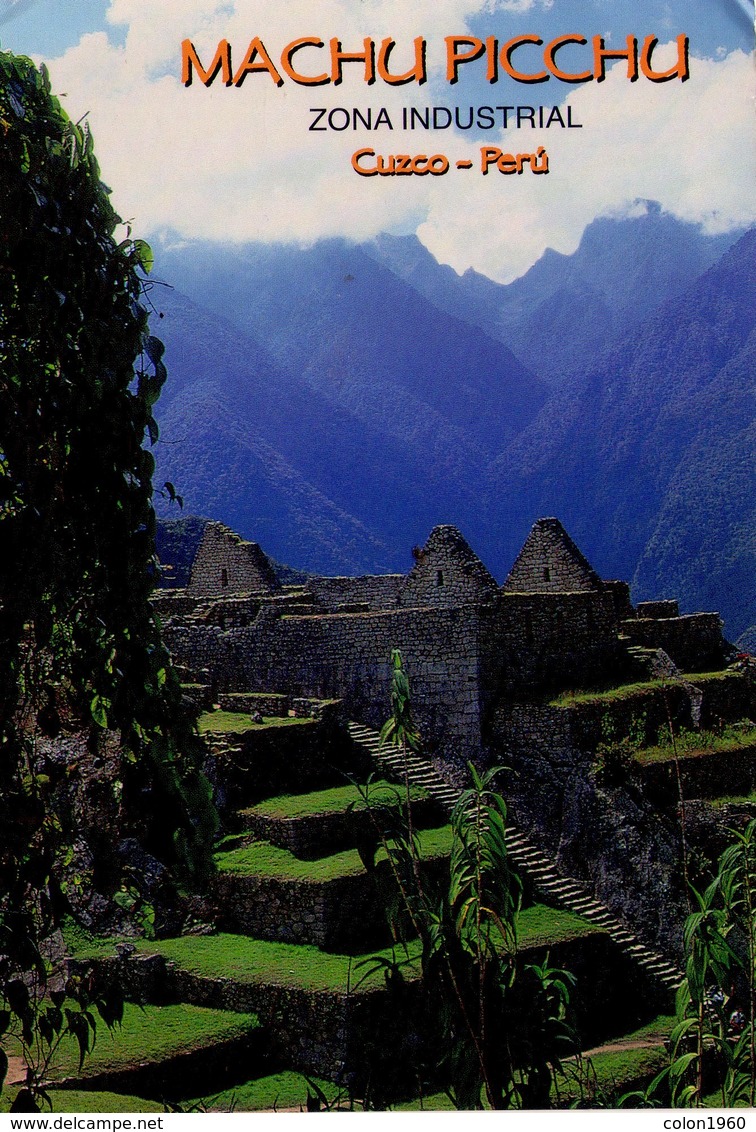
column 264, row 860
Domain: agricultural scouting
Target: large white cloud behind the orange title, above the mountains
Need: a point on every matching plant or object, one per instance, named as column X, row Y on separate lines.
column 240, row 164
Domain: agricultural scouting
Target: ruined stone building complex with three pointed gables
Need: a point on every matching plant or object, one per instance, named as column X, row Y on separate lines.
column 467, row 641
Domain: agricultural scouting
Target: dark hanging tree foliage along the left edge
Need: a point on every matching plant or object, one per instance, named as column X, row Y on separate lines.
column 80, row 375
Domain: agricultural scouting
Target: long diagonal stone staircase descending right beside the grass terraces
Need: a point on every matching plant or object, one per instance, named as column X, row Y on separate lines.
column 551, row 885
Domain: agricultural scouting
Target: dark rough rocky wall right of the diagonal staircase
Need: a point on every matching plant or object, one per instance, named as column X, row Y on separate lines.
column 600, row 826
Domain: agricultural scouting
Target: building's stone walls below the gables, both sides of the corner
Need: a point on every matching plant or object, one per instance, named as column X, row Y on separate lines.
column 459, row 661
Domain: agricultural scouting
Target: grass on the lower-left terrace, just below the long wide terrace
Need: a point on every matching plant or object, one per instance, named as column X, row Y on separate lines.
column 150, row 1035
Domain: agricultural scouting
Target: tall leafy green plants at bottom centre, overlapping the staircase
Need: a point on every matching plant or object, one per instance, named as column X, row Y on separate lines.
column 501, row 1025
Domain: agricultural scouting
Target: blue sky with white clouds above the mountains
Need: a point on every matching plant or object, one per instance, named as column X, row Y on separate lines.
column 240, row 162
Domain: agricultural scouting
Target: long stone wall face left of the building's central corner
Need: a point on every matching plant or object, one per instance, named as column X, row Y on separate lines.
column 349, row 657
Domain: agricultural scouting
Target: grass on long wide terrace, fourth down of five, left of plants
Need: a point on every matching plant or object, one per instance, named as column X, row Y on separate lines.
column 259, row 963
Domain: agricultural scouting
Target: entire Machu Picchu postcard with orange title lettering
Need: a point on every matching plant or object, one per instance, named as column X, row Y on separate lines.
column 449, row 388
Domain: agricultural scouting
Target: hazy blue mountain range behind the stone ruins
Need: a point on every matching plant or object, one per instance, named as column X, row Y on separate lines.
column 336, row 402
